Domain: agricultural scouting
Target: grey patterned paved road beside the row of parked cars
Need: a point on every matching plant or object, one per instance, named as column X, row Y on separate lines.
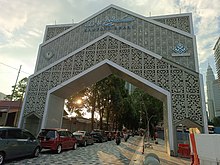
column 100, row 153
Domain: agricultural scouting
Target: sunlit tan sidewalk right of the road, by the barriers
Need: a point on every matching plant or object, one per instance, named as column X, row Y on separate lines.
column 159, row 150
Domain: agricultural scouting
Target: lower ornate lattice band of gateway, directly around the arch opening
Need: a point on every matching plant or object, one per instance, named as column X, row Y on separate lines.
column 181, row 82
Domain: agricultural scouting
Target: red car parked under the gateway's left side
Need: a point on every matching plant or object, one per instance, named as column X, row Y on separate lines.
column 57, row 139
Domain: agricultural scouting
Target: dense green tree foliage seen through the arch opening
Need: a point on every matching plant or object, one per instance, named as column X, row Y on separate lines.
column 111, row 100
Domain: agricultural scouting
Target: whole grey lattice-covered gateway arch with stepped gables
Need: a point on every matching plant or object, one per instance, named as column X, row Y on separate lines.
column 157, row 54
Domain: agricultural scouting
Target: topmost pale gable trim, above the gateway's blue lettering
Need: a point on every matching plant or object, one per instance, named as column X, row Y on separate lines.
column 123, row 10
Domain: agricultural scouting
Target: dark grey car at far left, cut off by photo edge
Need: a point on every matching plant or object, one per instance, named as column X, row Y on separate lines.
column 16, row 142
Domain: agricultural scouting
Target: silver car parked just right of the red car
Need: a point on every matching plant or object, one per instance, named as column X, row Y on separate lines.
column 83, row 138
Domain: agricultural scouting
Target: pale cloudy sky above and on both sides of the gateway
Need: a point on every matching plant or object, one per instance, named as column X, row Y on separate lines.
column 23, row 22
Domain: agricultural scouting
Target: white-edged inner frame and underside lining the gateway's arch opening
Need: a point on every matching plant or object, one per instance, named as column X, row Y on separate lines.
column 55, row 97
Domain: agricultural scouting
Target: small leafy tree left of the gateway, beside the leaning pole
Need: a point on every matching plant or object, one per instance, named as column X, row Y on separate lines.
column 18, row 90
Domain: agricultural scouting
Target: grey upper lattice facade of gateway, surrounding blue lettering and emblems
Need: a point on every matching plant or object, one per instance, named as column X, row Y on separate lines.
column 145, row 32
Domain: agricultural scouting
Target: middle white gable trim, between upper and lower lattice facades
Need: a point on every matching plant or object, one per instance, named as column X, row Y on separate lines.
column 94, row 41
